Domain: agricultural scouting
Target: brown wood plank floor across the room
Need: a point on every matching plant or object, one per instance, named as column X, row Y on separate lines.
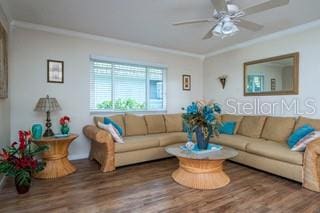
column 148, row 187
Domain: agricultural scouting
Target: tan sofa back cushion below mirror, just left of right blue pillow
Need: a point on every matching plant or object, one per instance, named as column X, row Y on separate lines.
column 278, row 128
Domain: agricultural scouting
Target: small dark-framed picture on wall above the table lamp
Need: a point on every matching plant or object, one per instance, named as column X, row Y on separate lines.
column 55, row 71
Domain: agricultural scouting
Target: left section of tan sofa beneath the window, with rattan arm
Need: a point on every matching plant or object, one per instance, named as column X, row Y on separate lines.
column 145, row 138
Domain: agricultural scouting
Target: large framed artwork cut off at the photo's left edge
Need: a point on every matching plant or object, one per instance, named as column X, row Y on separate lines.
column 3, row 63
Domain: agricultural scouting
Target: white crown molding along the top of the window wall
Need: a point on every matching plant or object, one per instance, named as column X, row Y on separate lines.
column 44, row 28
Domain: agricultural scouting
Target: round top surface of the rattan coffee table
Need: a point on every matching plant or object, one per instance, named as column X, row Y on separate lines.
column 222, row 154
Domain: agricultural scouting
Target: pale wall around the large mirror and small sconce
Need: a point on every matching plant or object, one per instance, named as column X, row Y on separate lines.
column 231, row 64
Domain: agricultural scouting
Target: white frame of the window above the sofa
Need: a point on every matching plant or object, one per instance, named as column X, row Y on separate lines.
column 147, row 67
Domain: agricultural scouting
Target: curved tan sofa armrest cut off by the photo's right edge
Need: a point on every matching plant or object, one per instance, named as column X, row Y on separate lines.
column 311, row 166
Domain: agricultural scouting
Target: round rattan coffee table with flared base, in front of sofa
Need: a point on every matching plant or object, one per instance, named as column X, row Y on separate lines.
column 201, row 171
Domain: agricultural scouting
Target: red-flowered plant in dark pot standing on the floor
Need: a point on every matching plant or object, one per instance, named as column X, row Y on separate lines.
column 18, row 161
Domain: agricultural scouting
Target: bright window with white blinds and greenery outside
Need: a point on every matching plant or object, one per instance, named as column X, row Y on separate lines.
column 116, row 86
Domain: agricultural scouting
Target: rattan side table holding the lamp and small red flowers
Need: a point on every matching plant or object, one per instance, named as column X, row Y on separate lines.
column 56, row 158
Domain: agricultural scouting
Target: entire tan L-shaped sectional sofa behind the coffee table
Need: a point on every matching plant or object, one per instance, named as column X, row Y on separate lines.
column 260, row 141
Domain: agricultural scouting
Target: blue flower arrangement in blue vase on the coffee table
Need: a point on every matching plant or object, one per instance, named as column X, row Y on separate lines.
column 201, row 117
